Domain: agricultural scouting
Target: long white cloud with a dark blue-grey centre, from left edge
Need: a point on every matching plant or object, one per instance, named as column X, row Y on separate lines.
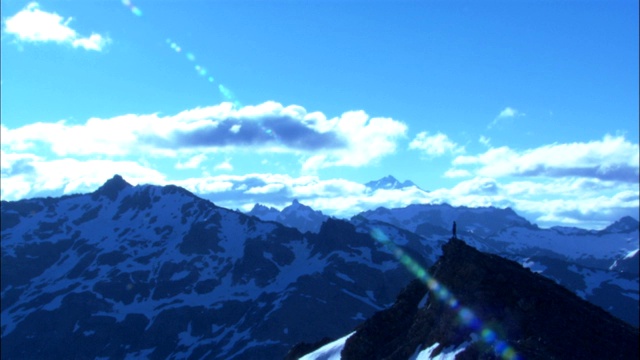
column 353, row 139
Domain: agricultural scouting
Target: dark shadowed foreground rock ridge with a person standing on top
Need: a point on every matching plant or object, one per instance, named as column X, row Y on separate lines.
column 535, row 316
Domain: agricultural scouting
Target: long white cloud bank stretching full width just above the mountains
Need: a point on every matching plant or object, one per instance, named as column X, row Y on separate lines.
column 587, row 184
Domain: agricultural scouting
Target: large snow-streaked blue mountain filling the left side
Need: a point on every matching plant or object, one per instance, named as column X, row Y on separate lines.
column 156, row 272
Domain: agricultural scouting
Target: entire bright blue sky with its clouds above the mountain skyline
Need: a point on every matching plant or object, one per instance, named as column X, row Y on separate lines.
column 527, row 104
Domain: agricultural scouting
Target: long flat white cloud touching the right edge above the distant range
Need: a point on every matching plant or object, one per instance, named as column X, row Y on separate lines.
column 612, row 158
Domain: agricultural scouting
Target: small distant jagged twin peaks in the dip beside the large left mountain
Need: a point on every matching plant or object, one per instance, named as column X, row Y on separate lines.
column 296, row 215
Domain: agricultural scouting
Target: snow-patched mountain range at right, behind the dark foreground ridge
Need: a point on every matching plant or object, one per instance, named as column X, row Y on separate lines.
column 599, row 266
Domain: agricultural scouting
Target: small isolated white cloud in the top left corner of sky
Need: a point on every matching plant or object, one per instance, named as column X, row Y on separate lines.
column 34, row 25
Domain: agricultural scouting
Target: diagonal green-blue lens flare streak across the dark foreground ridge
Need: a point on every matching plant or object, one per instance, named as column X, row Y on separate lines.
column 464, row 314
